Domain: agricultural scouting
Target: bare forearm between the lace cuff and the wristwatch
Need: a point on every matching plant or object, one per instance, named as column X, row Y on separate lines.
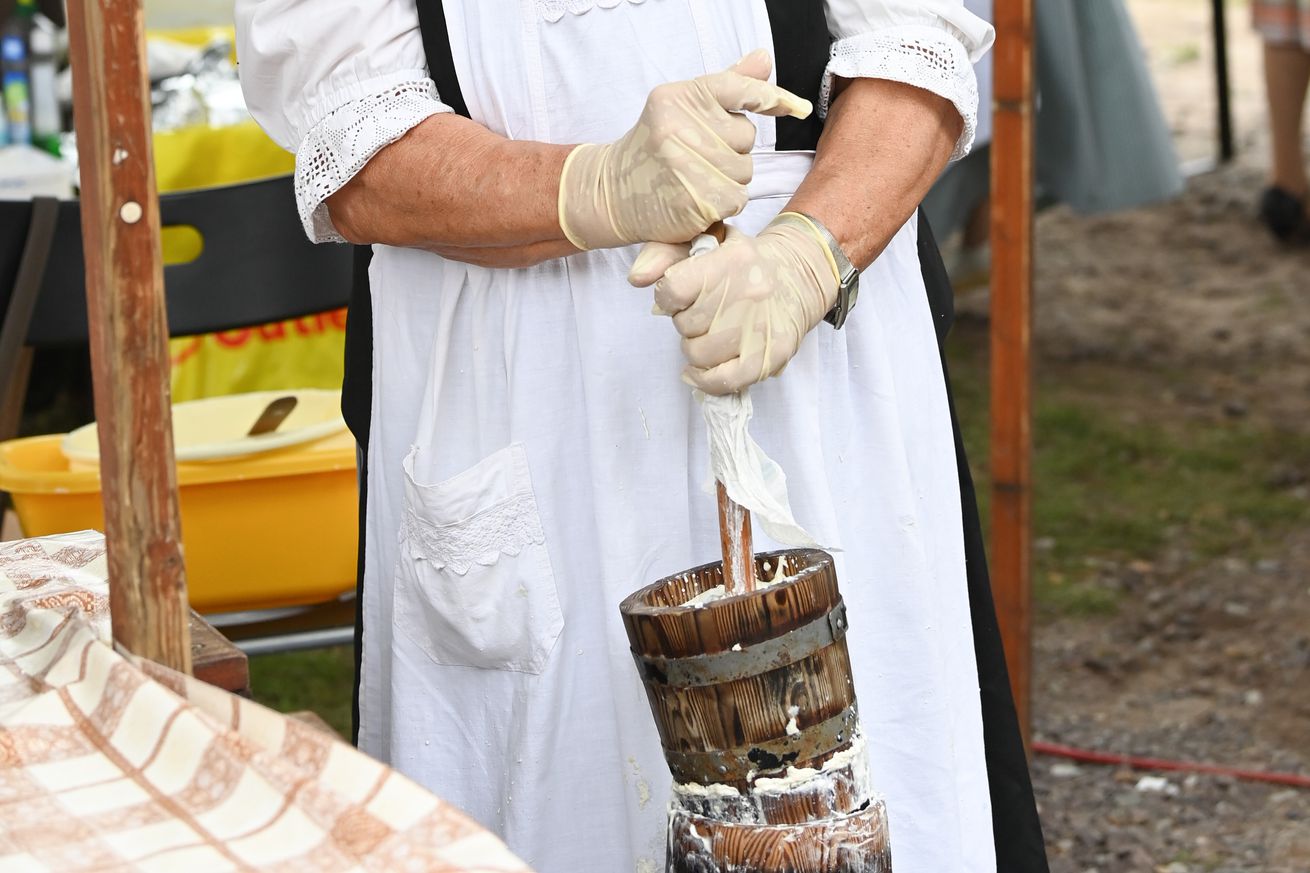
column 882, row 149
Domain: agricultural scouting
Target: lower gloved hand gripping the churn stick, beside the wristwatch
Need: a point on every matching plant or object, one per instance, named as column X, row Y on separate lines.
column 745, row 307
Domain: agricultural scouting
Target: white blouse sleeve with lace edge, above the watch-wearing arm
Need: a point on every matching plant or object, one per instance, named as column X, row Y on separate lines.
column 927, row 44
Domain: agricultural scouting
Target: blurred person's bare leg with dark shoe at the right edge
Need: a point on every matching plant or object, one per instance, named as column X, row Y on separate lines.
column 1286, row 28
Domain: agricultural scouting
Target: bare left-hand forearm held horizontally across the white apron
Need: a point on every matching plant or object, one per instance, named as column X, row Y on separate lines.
column 451, row 185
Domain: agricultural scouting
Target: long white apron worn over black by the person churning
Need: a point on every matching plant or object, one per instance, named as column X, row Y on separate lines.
column 535, row 458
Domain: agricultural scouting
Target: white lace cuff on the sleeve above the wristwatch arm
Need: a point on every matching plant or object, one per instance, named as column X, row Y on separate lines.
column 929, row 58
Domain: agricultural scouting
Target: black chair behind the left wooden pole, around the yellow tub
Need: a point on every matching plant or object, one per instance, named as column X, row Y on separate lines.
column 256, row 267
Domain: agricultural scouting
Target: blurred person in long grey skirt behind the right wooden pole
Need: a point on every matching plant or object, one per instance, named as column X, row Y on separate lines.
column 1101, row 140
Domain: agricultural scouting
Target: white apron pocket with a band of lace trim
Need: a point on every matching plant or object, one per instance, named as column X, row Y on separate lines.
column 474, row 581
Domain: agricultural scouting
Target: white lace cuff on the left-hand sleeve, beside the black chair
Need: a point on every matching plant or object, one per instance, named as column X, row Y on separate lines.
column 339, row 146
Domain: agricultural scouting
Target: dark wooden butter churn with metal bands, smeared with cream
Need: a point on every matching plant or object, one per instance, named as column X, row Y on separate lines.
column 757, row 711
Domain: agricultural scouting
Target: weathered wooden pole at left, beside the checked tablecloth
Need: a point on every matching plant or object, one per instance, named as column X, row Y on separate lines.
column 129, row 330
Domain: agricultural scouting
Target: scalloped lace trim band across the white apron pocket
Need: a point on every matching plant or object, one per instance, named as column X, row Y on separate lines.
column 505, row 529
